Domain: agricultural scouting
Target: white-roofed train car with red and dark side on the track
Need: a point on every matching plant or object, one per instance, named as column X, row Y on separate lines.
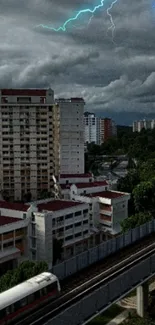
column 27, row 296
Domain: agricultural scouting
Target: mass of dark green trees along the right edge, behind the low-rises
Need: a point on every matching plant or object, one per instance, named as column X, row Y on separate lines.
column 139, row 148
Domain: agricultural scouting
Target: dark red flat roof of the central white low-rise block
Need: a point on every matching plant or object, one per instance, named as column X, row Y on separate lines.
column 57, row 205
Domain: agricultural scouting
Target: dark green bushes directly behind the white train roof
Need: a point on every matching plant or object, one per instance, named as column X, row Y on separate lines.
column 26, row 270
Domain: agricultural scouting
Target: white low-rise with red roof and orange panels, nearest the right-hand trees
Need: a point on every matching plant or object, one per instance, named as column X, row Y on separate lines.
column 107, row 209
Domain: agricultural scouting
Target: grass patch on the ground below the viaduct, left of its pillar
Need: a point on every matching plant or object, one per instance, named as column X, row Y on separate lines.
column 108, row 315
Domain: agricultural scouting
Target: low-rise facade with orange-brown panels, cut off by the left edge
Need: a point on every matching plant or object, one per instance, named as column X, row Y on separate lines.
column 13, row 242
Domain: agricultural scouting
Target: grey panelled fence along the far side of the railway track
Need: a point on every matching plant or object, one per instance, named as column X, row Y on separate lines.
column 103, row 250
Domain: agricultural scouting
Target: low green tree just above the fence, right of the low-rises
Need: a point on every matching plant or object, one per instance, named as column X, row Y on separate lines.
column 135, row 220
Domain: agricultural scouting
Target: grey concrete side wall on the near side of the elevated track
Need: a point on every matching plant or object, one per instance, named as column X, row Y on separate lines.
column 96, row 302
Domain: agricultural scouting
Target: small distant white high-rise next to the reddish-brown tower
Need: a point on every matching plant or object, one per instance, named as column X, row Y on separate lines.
column 91, row 128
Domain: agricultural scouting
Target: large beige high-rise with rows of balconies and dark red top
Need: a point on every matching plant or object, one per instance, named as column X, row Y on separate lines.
column 29, row 141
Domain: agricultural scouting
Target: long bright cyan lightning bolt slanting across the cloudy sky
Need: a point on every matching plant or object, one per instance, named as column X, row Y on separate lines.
column 63, row 27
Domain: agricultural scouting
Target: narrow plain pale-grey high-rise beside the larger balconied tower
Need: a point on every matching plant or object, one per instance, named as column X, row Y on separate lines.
column 71, row 135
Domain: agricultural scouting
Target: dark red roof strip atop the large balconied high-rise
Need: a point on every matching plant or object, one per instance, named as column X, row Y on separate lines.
column 23, row 92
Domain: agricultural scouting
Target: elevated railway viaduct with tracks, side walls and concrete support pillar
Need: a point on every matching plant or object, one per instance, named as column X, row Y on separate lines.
column 95, row 279
